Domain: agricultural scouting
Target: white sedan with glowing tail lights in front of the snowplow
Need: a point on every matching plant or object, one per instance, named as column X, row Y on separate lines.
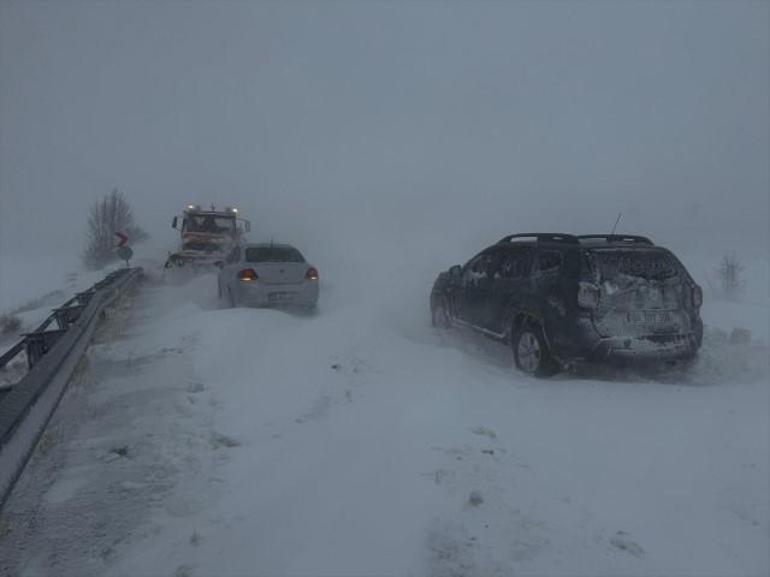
column 266, row 275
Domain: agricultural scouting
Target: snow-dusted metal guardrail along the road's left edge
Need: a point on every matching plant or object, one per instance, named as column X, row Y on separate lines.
column 51, row 357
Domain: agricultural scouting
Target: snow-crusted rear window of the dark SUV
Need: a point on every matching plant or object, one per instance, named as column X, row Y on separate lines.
column 646, row 264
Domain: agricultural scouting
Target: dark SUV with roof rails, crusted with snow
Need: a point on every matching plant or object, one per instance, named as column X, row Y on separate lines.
column 559, row 298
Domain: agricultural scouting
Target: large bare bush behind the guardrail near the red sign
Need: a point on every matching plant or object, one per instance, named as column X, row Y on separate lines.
column 107, row 216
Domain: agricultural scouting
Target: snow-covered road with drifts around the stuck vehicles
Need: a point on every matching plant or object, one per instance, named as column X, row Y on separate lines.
column 199, row 442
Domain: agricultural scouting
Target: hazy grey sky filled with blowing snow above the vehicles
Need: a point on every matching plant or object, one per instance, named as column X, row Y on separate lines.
column 360, row 123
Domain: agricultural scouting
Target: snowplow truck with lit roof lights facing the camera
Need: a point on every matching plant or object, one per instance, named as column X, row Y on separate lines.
column 207, row 235
